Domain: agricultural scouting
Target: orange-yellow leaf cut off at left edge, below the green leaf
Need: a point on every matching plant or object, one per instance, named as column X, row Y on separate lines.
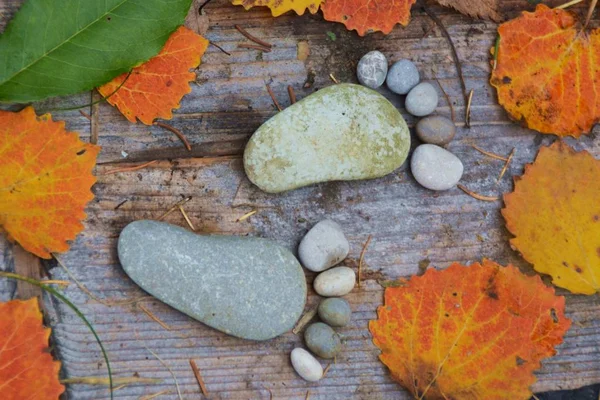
column 45, row 181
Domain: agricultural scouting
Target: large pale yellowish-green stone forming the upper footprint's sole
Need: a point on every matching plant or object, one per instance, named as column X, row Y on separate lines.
column 342, row 132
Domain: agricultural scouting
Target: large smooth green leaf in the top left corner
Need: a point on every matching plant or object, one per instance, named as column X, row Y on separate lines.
column 60, row 47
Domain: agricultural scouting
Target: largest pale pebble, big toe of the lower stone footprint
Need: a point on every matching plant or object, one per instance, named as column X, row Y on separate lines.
column 323, row 246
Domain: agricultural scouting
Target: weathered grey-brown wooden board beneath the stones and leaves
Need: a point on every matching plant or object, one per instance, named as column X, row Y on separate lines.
column 409, row 224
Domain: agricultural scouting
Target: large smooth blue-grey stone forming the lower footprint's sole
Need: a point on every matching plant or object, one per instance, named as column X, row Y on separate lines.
column 247, row 287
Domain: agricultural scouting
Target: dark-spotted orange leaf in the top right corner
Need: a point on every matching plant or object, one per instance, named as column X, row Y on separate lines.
column 548, row 72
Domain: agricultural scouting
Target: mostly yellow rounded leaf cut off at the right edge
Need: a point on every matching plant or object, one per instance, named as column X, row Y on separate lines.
column 554, row 215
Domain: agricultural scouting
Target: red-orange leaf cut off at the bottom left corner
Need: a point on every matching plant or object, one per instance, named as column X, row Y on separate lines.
column 27, row 369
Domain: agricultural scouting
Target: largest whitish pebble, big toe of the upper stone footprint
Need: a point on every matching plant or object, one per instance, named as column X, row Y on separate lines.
column 435, row 168
